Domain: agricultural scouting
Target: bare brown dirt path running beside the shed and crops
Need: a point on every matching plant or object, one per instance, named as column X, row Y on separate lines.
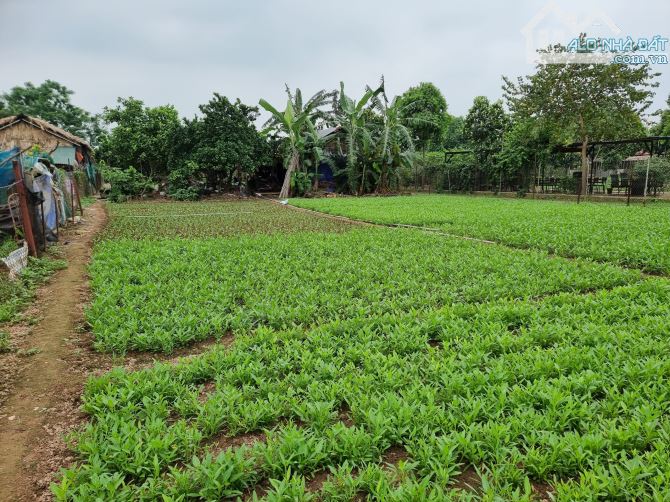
column 44, row 400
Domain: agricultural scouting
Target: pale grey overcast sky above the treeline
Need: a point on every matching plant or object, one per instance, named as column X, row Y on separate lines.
column 181, row 52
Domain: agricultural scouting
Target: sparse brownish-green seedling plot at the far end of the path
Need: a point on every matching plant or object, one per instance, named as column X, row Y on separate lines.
column 153, row 220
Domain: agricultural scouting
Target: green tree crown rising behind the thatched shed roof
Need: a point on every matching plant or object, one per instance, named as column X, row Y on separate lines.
column 49, row 101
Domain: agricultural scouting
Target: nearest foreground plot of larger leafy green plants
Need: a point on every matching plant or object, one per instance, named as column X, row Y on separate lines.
column 571, row 390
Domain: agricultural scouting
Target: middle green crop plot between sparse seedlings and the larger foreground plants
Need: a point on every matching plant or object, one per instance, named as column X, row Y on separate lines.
column 158, row 295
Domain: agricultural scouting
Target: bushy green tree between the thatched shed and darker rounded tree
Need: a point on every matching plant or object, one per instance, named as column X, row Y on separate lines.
column 141, row 136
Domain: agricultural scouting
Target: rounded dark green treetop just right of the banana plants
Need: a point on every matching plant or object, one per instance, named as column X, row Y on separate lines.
column 426, row 105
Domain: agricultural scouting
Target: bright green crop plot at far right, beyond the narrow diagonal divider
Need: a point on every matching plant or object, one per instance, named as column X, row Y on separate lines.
column 633, row 236
